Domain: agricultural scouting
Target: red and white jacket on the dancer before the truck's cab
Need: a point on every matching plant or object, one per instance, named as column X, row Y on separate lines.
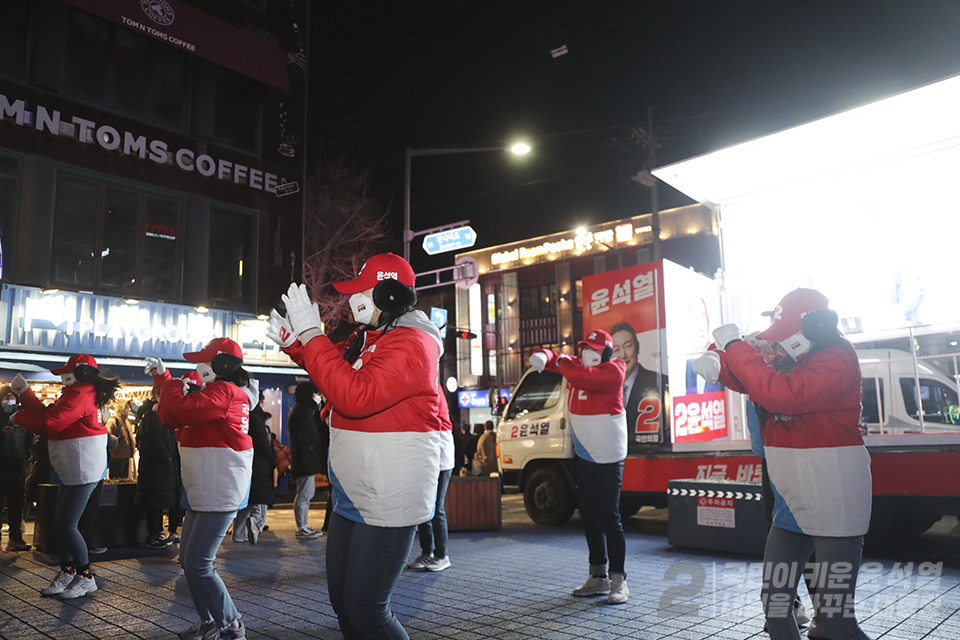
column 595, row 405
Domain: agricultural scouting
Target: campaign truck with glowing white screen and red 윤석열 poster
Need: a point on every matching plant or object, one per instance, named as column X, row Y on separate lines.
column 859, row 206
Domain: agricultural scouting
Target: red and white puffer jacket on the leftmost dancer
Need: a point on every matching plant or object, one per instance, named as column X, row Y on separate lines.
column 76, row 437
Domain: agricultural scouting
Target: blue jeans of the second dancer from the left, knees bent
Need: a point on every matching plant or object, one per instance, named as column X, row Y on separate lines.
column 199, row 540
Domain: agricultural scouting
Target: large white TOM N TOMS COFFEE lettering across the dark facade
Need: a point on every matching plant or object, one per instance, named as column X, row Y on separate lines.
column 129, row 143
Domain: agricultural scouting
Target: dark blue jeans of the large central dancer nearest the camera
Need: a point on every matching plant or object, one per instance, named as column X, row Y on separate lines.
column 364, row 564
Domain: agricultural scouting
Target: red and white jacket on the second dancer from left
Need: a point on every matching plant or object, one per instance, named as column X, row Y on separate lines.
column 216, row 451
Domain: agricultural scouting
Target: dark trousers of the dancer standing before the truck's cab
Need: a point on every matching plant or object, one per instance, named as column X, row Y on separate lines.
column 598, row 490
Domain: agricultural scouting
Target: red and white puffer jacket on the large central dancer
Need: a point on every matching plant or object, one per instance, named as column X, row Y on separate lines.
column 387, row 438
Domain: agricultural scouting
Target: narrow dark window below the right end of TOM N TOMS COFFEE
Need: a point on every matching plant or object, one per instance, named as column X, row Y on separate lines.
column 231, row 266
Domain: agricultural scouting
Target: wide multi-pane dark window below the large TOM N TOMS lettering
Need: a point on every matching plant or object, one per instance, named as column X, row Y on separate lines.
column 116, row 239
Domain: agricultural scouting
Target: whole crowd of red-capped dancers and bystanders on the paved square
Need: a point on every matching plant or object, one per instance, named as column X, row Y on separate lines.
column 374, row 420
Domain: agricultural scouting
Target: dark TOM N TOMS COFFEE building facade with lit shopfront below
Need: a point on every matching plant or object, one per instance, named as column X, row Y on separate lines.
column 151, row 167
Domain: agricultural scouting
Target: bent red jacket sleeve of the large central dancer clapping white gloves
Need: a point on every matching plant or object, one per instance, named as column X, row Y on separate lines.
column 391, row 374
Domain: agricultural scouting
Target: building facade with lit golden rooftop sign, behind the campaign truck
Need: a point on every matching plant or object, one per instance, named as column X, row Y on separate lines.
column 529, row 294
